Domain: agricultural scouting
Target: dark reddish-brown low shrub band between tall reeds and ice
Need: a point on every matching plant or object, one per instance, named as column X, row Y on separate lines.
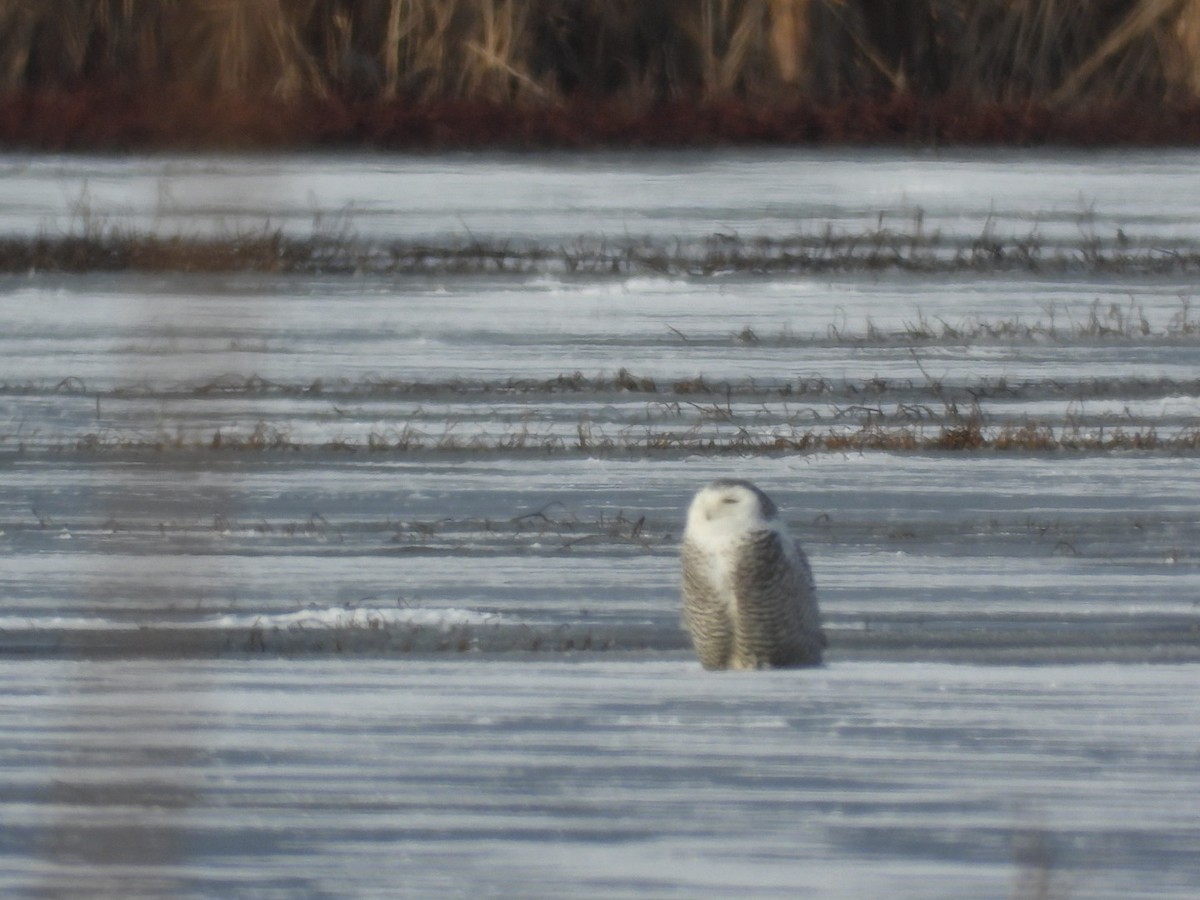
column 93, row 119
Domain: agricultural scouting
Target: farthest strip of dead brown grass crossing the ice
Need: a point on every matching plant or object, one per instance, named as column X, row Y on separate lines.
column 110, row 249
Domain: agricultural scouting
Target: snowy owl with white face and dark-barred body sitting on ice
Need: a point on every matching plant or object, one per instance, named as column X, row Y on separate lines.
column 748, row 595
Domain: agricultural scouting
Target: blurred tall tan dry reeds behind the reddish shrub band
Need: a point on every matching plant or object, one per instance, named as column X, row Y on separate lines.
column 629, row 55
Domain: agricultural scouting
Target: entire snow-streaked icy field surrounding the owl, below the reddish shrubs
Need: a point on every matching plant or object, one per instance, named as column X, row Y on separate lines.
column 365, row 586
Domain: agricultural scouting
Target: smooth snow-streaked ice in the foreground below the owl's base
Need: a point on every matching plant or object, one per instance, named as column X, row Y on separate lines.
column 580, row 777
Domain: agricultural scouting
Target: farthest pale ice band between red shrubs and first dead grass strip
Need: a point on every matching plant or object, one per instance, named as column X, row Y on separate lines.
column 560, row 197
